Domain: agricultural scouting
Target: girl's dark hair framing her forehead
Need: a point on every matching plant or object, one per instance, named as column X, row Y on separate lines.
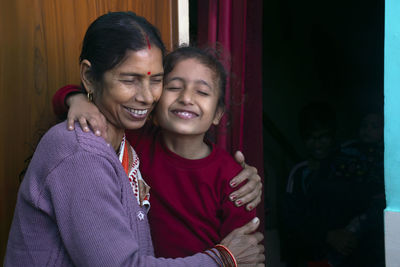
column 206, row 58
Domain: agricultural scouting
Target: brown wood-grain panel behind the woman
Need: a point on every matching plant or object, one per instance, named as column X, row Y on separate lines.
column 40, row 41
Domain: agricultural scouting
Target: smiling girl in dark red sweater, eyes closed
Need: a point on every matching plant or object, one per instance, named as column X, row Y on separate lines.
column 189, row 177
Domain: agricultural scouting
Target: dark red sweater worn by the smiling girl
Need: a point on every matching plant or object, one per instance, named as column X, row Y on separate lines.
column 190, row 210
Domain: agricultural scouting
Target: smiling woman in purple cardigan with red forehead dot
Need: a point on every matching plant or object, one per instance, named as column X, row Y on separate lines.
column 76, row 206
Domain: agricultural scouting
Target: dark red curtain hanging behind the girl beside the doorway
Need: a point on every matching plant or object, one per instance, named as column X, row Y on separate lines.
column 236, row 27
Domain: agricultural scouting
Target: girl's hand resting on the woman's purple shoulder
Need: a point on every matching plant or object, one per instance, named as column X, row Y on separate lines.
column 87, row 114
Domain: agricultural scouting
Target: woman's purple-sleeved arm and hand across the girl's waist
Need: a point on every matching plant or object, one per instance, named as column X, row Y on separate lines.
column 96, row 230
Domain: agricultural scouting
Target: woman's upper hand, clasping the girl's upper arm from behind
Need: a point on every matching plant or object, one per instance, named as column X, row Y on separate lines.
column 250, row 193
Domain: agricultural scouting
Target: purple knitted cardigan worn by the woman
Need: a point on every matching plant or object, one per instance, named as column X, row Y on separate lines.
column 75, row 207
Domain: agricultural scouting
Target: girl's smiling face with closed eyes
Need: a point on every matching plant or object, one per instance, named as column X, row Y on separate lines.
column 188, row 105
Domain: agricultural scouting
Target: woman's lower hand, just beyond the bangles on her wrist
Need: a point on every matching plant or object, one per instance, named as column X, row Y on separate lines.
column 245, row 245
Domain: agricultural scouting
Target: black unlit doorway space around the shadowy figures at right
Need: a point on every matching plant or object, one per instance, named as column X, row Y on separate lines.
column 329, row 51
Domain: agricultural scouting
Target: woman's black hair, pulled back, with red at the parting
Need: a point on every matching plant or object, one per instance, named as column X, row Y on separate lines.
column 111, row 35
